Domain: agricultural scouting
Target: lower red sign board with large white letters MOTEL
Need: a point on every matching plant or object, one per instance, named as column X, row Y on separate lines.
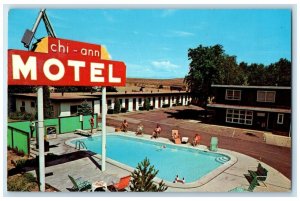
column 31, row 68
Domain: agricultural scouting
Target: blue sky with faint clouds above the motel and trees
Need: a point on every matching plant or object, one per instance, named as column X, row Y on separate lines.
column 154, row 43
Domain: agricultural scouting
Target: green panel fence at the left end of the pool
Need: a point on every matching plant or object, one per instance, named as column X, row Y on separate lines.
column 18, row 133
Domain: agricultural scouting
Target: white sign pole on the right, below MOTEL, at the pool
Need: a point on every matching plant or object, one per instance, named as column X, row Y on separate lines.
column 104, row 110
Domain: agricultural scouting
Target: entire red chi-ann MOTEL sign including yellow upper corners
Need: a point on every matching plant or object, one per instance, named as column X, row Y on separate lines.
column 61, row 62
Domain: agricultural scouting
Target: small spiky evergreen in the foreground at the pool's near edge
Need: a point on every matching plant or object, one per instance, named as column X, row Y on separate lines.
column 142, row 178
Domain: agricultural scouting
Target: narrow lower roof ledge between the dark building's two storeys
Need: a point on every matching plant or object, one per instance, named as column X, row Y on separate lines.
column 262, row 109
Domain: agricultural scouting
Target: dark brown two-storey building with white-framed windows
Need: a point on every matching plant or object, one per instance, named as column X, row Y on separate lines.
column 265, row 108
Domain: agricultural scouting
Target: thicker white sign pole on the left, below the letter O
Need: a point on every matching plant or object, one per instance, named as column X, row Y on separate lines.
column 41, row 138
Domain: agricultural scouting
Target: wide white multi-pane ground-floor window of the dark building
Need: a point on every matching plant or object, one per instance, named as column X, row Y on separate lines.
column 239, row 116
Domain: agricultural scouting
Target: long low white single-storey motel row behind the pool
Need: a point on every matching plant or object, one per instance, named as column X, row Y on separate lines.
column 67, row 104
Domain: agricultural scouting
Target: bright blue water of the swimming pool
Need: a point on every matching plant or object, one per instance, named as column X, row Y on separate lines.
column 192, row 164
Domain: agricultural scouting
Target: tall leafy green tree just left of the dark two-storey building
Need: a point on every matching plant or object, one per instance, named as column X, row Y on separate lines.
column 204, row 71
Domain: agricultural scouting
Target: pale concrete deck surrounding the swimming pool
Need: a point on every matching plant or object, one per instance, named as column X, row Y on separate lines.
column 87, row 165
